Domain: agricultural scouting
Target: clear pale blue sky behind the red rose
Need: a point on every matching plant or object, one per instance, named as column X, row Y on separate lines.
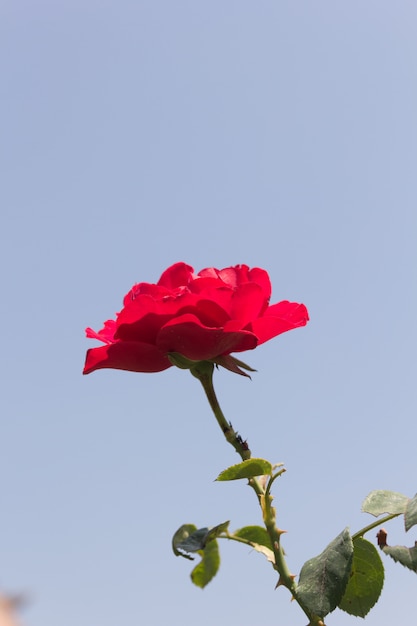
column 139, row 133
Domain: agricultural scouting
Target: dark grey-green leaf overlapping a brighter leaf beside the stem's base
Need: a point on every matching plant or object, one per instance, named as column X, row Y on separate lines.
column 323, row 579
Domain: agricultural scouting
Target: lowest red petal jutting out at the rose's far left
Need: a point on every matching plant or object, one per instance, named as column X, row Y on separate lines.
column 126, row 355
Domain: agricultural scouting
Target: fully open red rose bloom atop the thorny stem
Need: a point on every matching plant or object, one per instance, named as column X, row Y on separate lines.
column 204, row 317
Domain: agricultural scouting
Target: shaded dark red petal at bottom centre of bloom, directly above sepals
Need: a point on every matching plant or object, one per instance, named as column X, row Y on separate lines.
column 186, row 335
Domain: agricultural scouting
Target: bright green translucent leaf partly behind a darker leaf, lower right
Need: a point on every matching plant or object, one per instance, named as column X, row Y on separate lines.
column 365, row 581
